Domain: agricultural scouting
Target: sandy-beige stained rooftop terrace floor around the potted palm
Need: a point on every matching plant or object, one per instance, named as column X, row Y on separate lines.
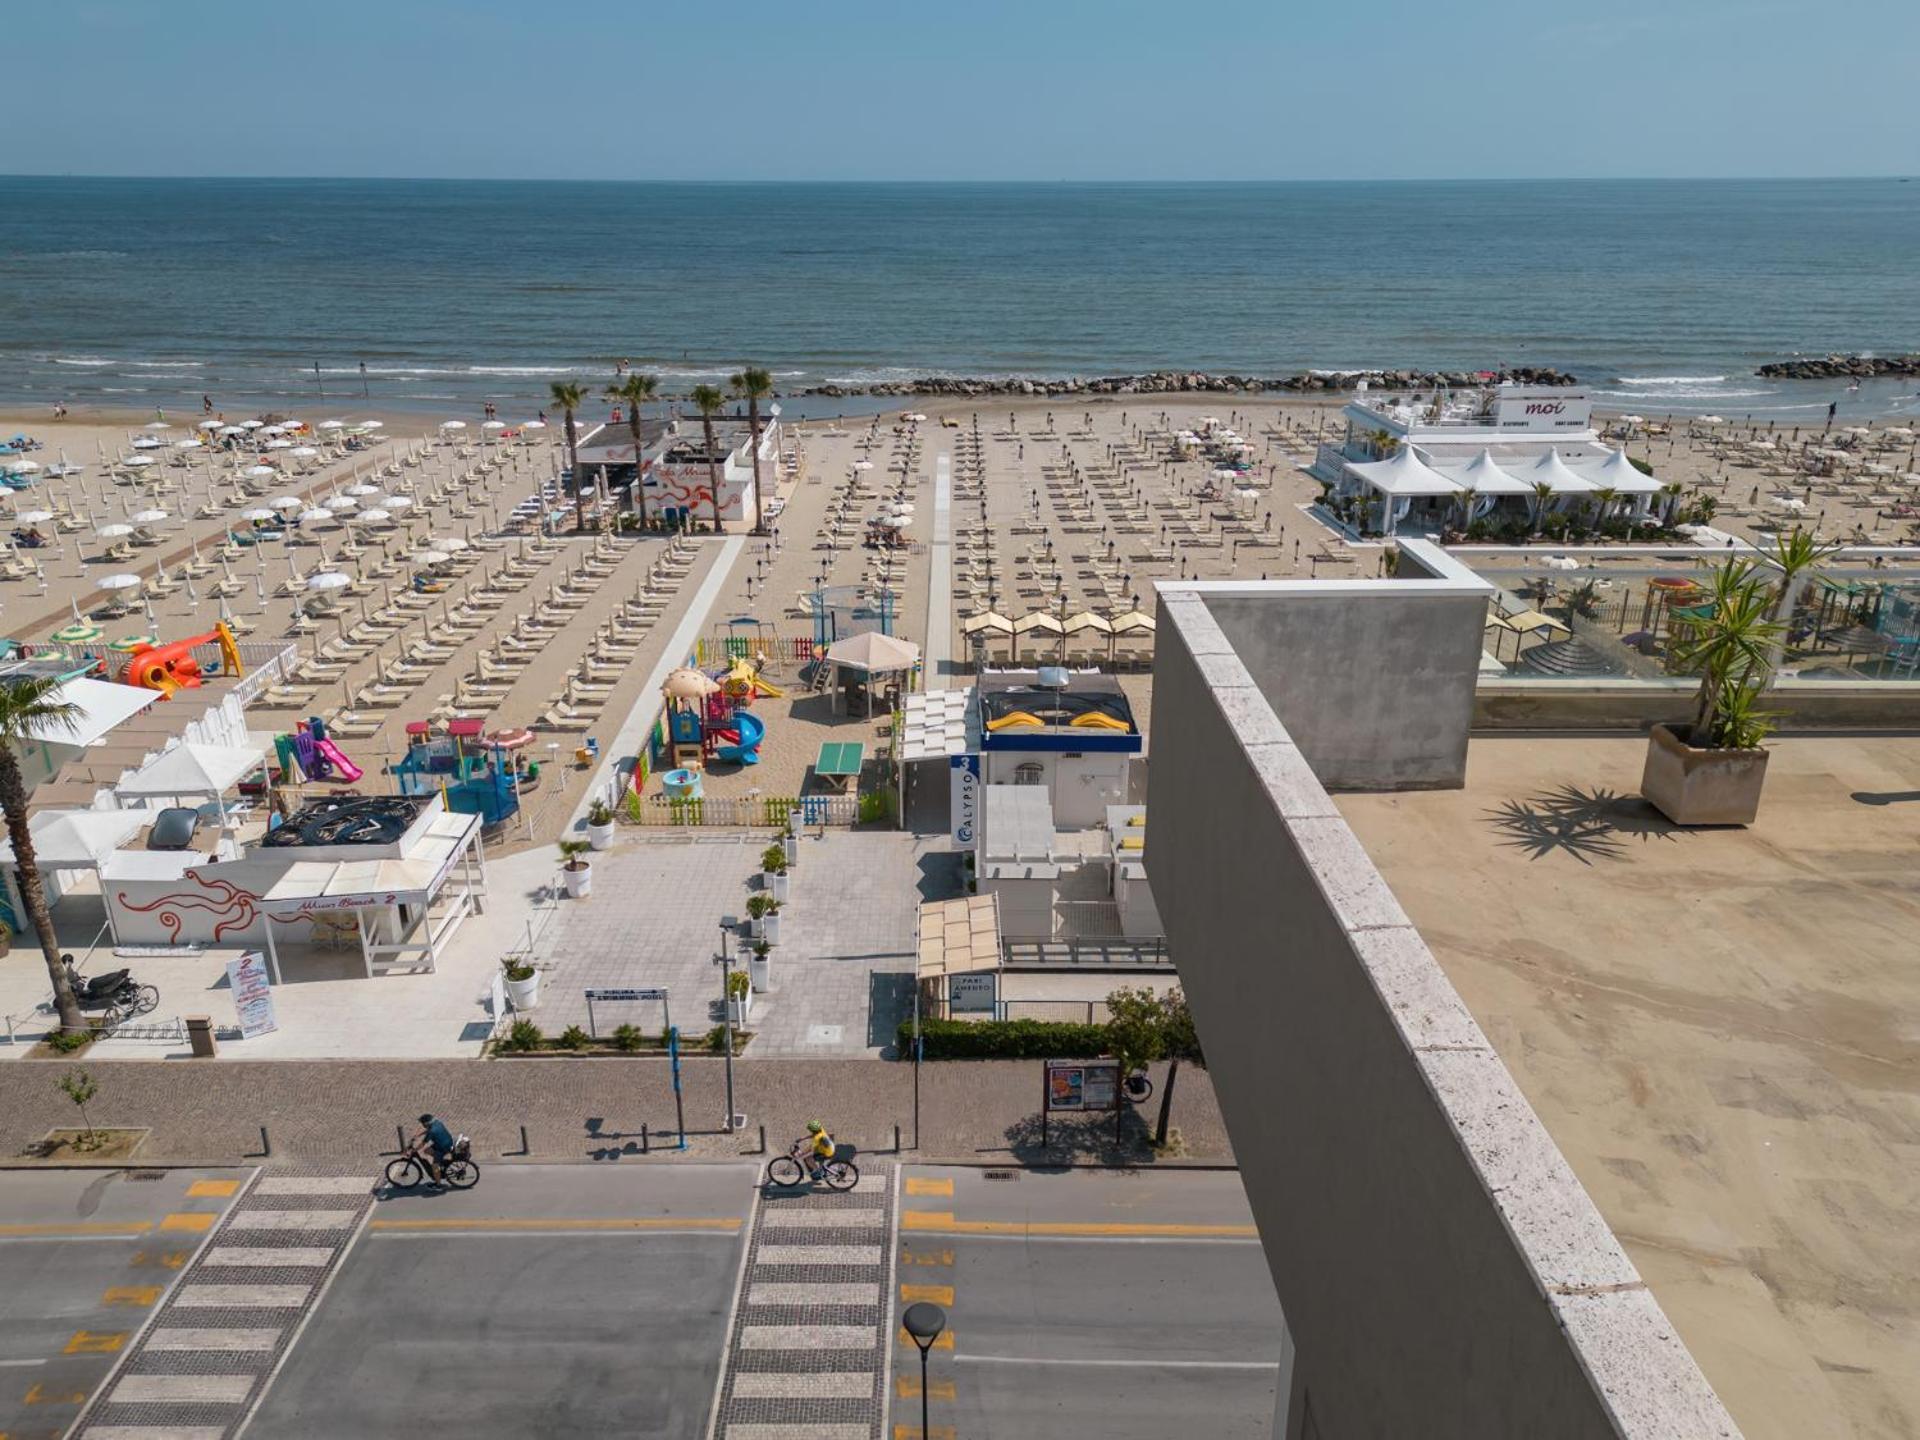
column 1721, row 1032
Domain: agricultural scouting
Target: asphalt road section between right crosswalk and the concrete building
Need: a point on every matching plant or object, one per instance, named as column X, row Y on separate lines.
column 1116, row 1305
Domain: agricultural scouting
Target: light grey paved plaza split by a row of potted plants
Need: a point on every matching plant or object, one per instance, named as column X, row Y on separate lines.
column 842, row 972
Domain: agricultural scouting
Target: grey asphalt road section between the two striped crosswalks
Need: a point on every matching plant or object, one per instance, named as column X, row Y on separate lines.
column 548, row 1301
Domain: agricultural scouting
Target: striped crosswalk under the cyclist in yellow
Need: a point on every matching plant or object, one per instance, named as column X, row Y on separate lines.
column 809, row 1351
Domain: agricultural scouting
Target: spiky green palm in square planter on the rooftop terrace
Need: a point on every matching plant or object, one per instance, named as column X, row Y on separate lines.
column 1712, row 771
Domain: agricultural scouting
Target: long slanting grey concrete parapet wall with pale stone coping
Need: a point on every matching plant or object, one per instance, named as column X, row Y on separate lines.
column 1441, row 1270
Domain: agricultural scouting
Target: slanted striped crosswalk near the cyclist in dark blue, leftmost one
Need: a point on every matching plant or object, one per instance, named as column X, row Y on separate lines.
column 214, row 1345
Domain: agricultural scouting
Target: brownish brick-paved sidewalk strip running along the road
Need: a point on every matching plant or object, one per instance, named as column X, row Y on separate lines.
column 345, row 1113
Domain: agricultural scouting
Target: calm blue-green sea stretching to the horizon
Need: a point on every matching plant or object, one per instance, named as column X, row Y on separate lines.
column 1660, row 295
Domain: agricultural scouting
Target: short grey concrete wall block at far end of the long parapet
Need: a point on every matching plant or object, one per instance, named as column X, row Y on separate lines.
column 1374, row 679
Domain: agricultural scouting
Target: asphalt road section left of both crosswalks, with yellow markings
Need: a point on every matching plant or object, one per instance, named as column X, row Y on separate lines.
column 84, row 1260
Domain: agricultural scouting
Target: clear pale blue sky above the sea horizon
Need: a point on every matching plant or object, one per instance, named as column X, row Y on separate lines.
column 996, row 89
